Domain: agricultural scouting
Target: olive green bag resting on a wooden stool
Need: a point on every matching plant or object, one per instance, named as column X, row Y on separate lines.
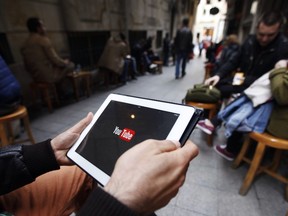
column 203, row 93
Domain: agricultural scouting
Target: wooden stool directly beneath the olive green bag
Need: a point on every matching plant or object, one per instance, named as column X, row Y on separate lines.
column 212, row 108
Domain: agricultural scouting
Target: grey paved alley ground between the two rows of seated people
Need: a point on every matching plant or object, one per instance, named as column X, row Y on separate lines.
column 211, row 187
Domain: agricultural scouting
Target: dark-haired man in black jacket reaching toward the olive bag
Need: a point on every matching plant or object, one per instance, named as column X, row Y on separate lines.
column 257, row 55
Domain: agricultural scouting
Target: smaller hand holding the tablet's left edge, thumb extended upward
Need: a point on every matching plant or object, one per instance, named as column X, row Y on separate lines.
column 62, row 143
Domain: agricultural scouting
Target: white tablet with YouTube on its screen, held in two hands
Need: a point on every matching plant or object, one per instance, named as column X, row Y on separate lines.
column 123, row 121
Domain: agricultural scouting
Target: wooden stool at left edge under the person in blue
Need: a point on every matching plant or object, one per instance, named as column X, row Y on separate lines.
column 6, row 131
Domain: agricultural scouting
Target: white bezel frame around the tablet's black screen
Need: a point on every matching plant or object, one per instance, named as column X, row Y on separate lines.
column 185, row 115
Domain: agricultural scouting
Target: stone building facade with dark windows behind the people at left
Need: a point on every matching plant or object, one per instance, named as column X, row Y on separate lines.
column 79, row 29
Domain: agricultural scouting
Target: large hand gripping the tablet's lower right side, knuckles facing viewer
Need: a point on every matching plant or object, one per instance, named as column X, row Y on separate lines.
column 149, row 175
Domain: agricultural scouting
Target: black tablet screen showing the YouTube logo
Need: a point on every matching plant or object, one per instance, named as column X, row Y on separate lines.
column 120, row 127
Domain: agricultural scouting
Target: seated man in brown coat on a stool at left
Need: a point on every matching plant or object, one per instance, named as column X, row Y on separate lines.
column 40, row 58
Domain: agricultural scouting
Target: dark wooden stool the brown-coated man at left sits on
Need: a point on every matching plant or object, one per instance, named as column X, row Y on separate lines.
column 47, row 90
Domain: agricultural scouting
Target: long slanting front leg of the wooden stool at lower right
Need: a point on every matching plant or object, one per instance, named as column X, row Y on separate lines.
column 255, row 163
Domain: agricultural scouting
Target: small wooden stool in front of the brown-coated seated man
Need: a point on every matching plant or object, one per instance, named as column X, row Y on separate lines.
column 76, row 77
